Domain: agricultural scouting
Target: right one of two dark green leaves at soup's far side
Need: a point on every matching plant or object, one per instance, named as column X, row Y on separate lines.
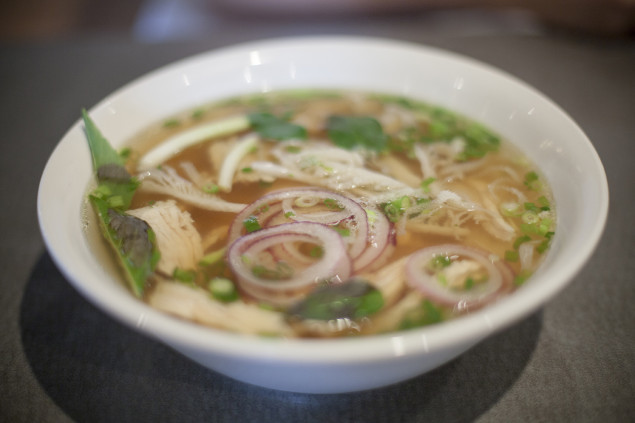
column 350, row 132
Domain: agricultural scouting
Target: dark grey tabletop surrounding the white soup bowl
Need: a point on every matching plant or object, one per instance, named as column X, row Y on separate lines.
column 63, row 360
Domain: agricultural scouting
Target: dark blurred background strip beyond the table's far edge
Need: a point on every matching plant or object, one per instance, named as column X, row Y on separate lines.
column 169, row 20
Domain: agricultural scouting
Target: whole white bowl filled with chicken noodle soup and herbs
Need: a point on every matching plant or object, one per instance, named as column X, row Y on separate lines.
column 322, row 214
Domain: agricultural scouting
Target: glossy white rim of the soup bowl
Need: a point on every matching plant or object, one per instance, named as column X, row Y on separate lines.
column 470, row 328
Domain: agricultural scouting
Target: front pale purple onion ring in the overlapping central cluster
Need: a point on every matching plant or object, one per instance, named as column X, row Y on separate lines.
column 334, row 265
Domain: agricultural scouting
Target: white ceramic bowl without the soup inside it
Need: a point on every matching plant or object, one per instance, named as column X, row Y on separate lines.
column 521, row 114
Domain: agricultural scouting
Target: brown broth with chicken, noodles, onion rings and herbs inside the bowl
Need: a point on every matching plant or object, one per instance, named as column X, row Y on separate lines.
column 320, row 214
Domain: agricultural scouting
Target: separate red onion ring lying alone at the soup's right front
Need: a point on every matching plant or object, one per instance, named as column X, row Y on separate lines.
column 420, row 277
